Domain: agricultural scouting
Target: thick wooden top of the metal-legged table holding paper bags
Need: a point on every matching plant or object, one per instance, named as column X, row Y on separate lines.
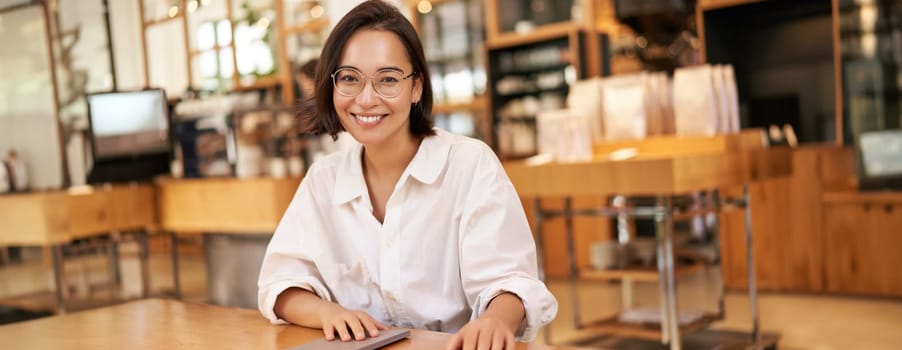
column 653, row 174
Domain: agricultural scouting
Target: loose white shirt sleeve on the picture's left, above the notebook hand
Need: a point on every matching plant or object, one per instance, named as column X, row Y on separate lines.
column 288, row 262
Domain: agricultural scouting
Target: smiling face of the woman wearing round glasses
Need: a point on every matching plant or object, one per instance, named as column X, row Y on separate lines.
column 372, row 116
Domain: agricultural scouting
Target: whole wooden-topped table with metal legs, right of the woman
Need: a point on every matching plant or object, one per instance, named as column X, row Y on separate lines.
column 660, row 173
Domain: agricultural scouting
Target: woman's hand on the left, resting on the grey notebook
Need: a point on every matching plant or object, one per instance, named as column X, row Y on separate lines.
column 349, row 324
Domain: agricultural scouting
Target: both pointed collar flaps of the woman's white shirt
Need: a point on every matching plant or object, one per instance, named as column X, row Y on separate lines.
column 426, row 166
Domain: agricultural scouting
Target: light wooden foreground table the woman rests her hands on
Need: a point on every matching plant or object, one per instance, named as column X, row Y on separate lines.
column 168, row 324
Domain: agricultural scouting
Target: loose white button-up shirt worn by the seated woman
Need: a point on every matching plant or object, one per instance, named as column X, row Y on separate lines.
column 454, row 236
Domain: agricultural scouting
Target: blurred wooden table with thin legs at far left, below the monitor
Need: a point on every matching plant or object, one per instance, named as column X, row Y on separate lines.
column 54, row 219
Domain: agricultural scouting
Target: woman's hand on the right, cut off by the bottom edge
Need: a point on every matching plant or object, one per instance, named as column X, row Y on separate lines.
column 486, row 332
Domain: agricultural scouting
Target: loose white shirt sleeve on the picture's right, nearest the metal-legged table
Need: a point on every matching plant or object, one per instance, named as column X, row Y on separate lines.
column 498, row 253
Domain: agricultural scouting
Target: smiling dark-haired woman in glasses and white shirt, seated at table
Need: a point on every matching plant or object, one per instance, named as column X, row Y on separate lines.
column 414, row 227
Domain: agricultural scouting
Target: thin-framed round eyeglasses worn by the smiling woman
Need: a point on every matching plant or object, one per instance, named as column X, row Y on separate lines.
column 387, row 83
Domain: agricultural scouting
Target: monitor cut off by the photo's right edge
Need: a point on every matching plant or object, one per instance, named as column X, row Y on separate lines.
column 880, row 160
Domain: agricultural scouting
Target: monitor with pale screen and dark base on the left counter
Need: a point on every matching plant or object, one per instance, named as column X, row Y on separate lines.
column 129, row 135
